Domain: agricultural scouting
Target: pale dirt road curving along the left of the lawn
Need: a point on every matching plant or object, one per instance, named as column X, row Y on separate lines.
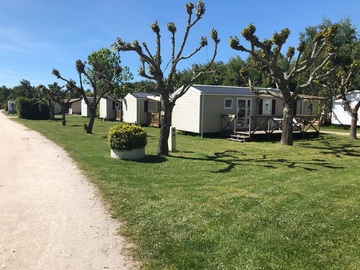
column 50, row 216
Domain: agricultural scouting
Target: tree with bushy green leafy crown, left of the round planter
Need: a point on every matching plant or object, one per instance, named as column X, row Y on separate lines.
column 103, row 75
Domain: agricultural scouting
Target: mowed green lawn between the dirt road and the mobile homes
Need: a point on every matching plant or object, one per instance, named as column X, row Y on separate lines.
column 217, row 204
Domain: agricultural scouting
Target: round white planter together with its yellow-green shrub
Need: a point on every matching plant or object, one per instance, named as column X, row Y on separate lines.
column 127, row 141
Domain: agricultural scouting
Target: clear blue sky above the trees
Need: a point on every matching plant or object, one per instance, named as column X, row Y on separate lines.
column 39, row 35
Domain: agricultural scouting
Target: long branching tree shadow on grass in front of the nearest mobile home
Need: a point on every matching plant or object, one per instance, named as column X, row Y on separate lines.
column 233, row 158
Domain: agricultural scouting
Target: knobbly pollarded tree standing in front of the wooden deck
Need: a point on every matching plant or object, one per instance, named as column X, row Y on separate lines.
column 268, row 55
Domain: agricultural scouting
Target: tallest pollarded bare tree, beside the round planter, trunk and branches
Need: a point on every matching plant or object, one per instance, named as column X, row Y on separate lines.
column 152, row 69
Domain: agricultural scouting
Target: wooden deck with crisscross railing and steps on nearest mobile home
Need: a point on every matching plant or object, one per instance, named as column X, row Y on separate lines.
column 267, row 125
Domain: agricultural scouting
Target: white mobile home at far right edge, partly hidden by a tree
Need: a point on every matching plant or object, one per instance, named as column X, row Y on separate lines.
column 339, row 115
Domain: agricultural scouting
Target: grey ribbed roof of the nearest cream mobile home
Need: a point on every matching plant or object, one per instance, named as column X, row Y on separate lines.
column 225, row 90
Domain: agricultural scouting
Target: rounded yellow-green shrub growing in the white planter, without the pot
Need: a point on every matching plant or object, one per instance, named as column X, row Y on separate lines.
column 127, row 137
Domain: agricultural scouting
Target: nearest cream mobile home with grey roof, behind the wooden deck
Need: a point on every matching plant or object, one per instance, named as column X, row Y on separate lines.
column 207, row 109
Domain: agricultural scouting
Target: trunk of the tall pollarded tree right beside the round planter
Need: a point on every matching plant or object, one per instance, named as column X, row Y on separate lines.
column 163, row 147
